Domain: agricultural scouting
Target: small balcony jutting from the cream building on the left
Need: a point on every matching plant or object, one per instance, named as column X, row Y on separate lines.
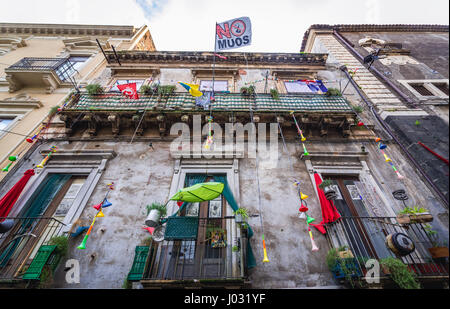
column 50, row 73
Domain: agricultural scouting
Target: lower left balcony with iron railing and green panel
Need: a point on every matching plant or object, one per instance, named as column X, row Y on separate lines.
column 22, row 243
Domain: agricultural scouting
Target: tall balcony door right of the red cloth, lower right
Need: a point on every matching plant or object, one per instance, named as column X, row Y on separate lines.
column 366, row 236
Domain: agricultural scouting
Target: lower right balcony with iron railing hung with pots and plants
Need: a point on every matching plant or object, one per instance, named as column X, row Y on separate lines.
column 365, row 238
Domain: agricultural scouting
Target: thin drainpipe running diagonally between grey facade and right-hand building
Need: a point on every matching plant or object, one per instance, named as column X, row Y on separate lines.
column 386, row 127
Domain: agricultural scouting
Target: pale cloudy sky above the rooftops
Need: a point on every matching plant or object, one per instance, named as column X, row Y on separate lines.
column 277, row 25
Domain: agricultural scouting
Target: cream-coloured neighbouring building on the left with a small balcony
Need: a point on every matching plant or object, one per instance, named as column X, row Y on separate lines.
column 39, row 64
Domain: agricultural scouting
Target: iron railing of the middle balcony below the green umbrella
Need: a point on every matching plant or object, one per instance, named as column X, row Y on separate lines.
column 210, row 255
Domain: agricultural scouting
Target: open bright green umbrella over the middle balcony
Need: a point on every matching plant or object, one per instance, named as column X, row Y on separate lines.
column 200, row 192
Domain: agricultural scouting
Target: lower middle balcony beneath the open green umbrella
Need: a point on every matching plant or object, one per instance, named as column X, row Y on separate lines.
column 198, row 261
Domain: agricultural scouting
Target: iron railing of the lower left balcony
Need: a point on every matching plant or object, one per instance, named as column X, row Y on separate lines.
column 20, row 239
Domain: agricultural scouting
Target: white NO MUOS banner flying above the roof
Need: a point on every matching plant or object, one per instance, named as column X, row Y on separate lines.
column 233, row 33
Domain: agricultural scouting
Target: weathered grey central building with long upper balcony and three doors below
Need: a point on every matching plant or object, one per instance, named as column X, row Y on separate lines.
column 136, row 144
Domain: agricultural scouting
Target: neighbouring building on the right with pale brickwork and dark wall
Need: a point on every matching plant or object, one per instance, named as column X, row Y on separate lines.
column 408, row 85
